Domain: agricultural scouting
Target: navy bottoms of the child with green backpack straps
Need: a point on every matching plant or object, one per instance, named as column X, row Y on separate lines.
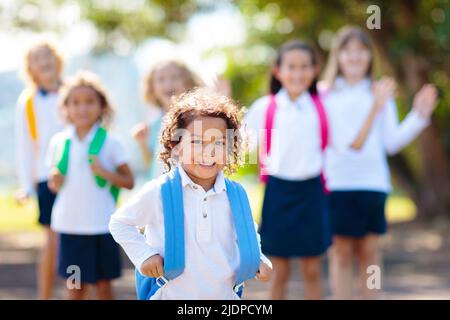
column 97, row 257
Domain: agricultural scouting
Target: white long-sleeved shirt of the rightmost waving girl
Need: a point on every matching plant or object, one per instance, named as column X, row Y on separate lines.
column 366, row 169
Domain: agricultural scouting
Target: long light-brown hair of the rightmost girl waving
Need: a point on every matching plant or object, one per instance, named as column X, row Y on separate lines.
column 343, row 36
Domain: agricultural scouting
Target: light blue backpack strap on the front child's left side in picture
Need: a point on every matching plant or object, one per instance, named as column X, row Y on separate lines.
column 172, row 200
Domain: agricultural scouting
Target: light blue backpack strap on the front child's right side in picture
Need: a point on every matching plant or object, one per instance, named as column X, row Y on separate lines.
column 246, row 234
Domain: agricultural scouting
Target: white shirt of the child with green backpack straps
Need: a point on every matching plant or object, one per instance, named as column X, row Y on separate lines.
column 81, row 206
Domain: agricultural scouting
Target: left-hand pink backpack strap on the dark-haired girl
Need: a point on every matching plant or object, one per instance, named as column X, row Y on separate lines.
column 267, row 142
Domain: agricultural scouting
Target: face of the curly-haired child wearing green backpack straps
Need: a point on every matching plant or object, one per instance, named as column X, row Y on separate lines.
column 84, row 107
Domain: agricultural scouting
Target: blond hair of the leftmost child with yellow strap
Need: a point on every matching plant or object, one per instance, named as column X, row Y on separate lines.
column 27, row 74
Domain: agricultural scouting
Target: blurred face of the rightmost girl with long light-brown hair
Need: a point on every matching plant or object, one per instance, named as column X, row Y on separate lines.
column 354, row 59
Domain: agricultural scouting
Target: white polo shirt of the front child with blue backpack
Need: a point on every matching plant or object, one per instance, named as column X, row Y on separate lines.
column 212, row 254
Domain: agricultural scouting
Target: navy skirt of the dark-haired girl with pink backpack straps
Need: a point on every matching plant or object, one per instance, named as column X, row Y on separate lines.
column 295, row 219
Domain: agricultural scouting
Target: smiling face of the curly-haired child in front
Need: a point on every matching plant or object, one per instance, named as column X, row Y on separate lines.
column 203, row 147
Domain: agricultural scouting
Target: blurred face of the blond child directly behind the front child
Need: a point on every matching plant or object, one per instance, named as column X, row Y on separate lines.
column 167, row 82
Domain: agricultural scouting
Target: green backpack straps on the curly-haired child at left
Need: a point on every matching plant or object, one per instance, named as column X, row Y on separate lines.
column 94, row 149
